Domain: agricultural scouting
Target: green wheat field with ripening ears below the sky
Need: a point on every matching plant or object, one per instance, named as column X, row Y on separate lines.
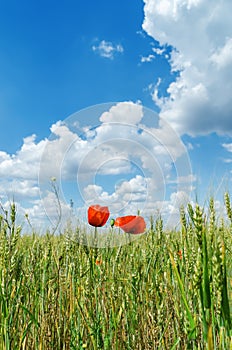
column 167, row 290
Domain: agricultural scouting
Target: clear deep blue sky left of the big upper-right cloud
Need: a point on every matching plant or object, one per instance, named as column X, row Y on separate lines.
column 49, row 70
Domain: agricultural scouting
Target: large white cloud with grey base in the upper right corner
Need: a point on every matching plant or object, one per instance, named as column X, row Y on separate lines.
column 198, row 101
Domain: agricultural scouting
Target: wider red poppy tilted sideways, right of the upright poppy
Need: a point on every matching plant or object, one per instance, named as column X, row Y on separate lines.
column 131, row 224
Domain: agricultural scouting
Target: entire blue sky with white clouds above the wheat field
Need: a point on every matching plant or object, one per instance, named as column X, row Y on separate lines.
column 161, row 70
